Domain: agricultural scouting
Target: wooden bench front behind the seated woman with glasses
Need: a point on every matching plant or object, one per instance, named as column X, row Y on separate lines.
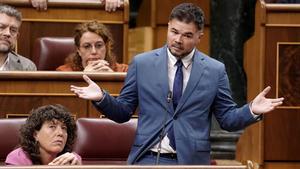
column 63, row 15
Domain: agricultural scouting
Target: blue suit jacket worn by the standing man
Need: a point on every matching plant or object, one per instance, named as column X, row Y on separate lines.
column 207, row 92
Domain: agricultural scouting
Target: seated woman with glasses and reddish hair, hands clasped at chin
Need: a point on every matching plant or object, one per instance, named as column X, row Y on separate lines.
column 94, row 44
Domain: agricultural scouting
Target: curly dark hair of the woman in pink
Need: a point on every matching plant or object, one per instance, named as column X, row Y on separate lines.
column 34, row 123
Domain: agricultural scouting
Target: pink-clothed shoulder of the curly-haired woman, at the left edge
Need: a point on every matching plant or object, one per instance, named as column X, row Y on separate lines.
column 18, row 157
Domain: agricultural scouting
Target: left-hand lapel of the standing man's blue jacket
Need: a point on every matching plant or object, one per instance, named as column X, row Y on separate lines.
column 161, row 63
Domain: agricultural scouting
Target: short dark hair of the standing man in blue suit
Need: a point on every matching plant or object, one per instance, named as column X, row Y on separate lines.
column 188, row 12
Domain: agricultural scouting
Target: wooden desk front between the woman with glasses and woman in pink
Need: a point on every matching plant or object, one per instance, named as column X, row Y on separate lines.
column 20, row 92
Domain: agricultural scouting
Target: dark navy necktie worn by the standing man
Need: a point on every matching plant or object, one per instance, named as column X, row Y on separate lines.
column 177, row 92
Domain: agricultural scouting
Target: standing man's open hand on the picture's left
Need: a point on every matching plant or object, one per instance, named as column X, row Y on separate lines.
column 91, row 92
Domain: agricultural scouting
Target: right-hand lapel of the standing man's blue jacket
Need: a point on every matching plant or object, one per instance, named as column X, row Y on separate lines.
column 198, row 67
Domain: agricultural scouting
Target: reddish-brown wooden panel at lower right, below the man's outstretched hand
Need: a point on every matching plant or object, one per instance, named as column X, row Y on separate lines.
column 282, row 134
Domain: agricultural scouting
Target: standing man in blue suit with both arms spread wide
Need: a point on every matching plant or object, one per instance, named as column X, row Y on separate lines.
column 177, row 89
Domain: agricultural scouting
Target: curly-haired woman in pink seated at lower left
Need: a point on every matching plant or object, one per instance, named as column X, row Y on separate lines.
column 46, row 138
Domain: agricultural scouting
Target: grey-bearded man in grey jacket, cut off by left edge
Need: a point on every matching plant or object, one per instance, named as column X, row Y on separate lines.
column 10, row 22
